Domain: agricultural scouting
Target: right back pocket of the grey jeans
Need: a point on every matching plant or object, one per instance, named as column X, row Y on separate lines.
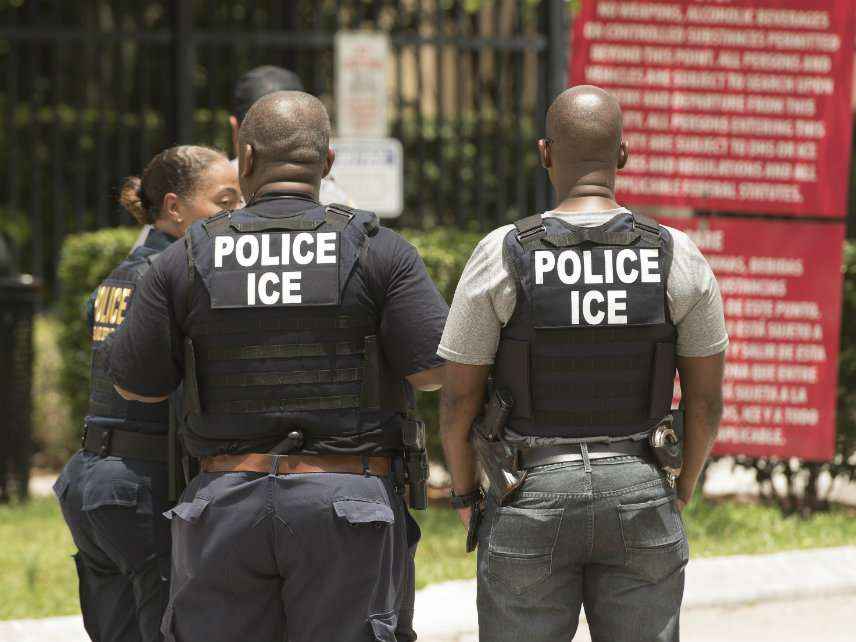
column 655, row 544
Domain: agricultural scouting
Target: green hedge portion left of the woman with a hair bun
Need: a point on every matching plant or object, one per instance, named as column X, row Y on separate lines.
column 86, row 260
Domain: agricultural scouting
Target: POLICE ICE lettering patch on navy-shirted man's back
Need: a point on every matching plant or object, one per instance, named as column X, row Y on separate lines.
column 307, row 274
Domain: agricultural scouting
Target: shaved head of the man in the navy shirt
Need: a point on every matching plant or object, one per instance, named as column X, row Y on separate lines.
column 289, row 134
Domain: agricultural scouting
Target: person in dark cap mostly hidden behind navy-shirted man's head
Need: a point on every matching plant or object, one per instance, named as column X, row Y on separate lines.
column 260, row 82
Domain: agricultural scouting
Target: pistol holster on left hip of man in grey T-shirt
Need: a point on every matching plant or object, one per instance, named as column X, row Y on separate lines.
column 498, row 458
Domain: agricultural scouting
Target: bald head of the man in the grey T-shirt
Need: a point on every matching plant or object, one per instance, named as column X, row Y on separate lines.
column 584, row 125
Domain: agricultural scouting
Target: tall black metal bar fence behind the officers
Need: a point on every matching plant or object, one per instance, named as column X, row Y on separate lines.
column 93, row 88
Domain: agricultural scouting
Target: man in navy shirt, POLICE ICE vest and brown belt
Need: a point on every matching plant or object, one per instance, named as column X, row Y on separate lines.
column 299, row 332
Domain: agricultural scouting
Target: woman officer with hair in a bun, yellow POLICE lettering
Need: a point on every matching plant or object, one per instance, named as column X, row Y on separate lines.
column 114, row 490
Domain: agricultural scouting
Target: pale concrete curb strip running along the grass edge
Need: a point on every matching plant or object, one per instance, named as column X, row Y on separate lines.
column 447, row 612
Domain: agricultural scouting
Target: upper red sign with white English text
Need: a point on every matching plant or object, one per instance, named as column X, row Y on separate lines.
column 735, row 105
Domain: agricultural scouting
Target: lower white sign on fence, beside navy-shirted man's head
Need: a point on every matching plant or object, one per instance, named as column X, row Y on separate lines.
column 371, row 171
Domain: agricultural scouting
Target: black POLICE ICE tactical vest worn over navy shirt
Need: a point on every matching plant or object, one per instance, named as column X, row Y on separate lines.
column 290, row 339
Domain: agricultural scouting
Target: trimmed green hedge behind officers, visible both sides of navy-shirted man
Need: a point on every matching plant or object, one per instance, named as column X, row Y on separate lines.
column 88, row 258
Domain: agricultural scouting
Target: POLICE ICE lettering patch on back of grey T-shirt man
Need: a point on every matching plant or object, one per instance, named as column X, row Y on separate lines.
column 595, row 287
